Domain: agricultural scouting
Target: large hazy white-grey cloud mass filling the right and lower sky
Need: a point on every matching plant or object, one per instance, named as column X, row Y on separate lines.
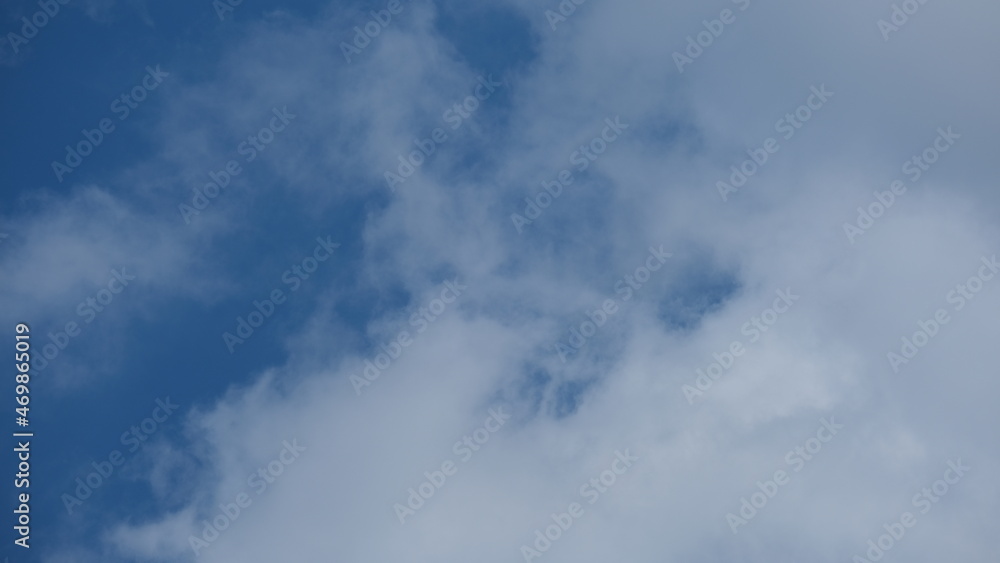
column 826, row 357
